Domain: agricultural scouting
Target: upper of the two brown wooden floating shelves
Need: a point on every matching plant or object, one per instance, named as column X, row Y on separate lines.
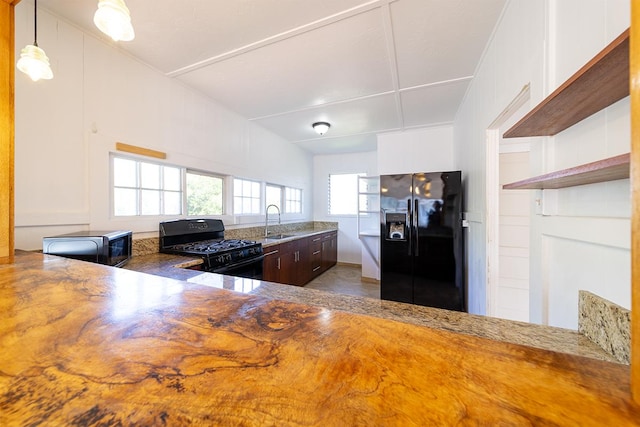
column 601, row 82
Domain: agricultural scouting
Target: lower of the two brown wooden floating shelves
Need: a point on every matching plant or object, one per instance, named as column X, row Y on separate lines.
column 610, row 169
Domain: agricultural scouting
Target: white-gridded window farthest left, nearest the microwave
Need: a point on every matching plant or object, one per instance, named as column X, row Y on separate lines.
column 142, row 188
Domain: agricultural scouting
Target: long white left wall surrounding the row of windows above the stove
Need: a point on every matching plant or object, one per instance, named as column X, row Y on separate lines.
column 66, row 128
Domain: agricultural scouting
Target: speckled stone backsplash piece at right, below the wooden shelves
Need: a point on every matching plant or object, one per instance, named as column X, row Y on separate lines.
column 605, row 323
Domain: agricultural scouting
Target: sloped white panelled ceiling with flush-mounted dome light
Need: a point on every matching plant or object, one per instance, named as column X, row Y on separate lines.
column 366, row 67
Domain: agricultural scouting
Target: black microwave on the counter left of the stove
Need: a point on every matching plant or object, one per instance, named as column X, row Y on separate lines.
column 102, row 247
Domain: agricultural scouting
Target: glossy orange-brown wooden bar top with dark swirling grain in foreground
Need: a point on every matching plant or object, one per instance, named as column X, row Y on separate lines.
column 88, row 344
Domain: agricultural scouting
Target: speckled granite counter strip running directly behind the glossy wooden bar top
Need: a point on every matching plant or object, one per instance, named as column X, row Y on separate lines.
column 543, row 337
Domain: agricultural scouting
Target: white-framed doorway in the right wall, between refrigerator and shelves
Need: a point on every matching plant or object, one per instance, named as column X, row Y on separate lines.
column 507, row 217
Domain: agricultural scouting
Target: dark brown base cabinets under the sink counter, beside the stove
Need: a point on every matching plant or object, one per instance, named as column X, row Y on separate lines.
column 298, row 261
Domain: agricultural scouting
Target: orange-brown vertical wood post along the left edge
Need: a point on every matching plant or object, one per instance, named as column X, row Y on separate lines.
column 7, row 129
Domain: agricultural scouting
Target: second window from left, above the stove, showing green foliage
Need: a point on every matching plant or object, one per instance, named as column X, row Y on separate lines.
column 204, row 194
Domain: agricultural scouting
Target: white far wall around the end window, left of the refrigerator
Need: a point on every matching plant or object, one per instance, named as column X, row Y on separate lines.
column 349, row 246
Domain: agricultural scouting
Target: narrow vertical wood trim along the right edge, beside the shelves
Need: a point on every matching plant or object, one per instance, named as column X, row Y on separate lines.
column 634, row 81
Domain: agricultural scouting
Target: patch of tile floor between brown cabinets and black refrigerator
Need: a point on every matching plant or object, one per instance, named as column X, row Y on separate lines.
column 345, row 279
